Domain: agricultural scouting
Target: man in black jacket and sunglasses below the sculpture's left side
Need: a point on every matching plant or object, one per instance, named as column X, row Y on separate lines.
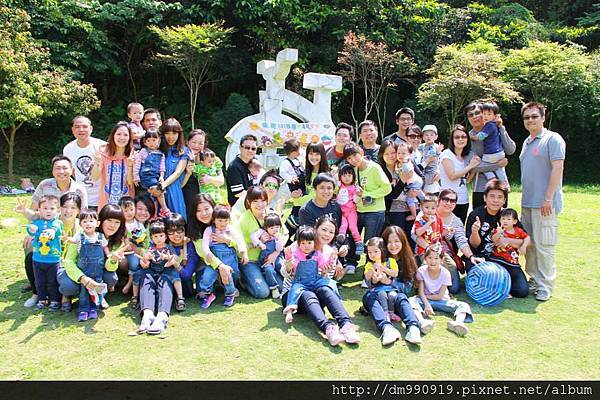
column 238, row 174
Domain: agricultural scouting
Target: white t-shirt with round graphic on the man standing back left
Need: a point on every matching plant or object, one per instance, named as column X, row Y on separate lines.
column 82, row 159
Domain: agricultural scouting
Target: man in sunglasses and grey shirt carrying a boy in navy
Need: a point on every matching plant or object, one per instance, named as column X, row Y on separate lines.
column 475, row 118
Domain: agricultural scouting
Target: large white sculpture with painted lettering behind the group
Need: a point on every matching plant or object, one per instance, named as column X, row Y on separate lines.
column 311, row 121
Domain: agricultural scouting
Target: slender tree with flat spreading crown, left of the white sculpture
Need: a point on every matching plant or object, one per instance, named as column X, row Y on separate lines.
column 191, row 49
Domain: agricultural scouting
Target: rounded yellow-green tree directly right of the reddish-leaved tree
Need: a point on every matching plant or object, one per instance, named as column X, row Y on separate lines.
column 461, row 74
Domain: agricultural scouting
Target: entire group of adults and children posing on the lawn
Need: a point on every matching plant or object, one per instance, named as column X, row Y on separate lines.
column 147, row 205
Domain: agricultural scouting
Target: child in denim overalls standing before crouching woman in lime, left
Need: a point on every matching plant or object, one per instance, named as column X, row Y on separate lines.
column 93, row 249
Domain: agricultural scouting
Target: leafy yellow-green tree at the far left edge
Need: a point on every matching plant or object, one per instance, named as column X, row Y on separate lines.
column 30, row 87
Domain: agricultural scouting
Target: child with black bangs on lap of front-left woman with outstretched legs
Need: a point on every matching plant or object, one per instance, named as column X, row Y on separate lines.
column 160, row 259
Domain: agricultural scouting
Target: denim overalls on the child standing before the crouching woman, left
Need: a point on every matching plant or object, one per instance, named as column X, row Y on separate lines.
column 91, row 263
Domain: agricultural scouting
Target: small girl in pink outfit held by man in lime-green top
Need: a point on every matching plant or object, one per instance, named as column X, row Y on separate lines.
column 347, row 199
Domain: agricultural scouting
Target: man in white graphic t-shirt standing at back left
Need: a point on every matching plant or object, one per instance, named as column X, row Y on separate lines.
column 81, row 152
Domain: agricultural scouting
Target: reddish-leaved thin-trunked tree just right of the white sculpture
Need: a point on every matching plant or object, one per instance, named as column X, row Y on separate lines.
column 371, row 68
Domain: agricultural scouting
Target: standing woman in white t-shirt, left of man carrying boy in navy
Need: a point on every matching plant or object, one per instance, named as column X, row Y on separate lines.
column 457, row 161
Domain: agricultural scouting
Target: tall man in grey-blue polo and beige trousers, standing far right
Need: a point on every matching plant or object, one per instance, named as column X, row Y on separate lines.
column 542, row 162
